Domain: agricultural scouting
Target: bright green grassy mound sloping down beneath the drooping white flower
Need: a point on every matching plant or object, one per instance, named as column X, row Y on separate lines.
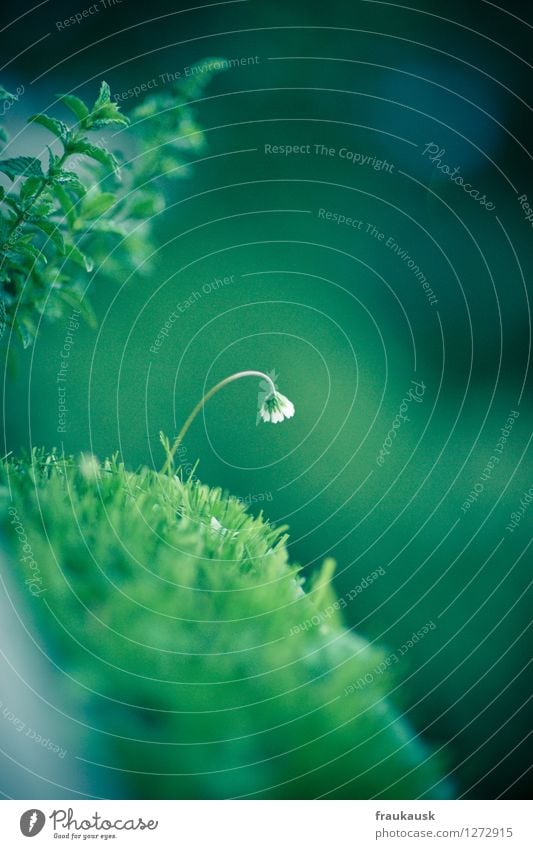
column 179, row 627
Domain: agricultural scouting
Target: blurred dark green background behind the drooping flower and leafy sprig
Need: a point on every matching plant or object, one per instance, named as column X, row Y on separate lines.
column 340, row 318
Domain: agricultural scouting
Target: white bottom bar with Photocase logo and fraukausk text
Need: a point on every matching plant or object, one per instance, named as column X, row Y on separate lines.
column 262, row 825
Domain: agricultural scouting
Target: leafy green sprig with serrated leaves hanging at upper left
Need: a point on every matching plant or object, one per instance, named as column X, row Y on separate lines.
column 88, row 207
